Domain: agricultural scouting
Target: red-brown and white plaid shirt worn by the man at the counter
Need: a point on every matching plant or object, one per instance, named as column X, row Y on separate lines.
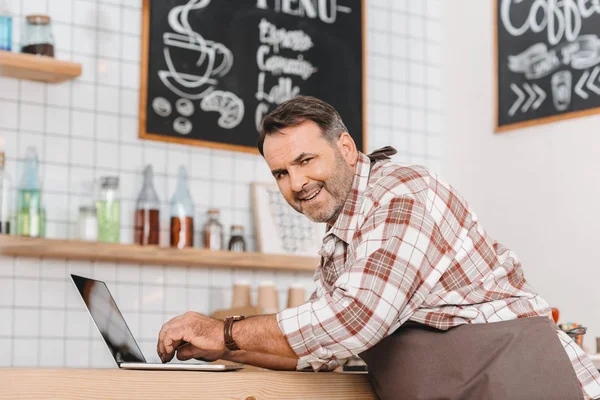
column 407, row 247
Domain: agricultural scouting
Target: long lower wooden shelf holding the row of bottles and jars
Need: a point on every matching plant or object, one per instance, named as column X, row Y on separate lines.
column 93, row 251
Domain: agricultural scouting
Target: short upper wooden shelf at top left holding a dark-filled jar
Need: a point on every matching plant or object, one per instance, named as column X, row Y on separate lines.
column 37, row 68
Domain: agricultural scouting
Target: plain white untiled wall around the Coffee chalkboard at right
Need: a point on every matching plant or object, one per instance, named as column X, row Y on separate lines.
column 536, row 190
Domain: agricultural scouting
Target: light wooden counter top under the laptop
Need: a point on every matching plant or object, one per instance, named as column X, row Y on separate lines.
column 248, row 384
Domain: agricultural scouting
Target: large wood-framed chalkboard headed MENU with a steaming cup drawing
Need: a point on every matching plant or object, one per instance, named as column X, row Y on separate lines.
column 212, row 69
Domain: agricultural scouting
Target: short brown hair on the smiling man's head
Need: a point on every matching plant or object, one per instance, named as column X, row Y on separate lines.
column 298, row 110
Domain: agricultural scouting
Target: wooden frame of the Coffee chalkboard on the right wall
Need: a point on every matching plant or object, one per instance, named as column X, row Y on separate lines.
column 529, row 123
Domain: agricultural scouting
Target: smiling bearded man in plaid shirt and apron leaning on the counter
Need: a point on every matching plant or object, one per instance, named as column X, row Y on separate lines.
column 408, row 279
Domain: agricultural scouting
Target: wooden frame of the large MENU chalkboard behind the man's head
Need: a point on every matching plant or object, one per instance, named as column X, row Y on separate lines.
column 142, row 120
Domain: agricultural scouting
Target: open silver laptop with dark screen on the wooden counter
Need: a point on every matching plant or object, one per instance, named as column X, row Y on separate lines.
column 117, row 336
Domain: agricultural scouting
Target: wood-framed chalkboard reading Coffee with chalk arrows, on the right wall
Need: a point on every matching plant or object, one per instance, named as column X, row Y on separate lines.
column 548, row 61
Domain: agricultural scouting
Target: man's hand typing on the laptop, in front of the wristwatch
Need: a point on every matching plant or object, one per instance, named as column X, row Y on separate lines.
column 205, row 334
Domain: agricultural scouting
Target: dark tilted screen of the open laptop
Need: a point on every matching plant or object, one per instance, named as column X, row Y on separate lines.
column 108, row 319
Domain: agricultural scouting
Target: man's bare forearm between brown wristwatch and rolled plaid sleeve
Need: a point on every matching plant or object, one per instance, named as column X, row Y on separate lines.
column 261, row 334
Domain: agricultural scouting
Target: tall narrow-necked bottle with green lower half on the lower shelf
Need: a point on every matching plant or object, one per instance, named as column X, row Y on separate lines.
column 31, row 216
